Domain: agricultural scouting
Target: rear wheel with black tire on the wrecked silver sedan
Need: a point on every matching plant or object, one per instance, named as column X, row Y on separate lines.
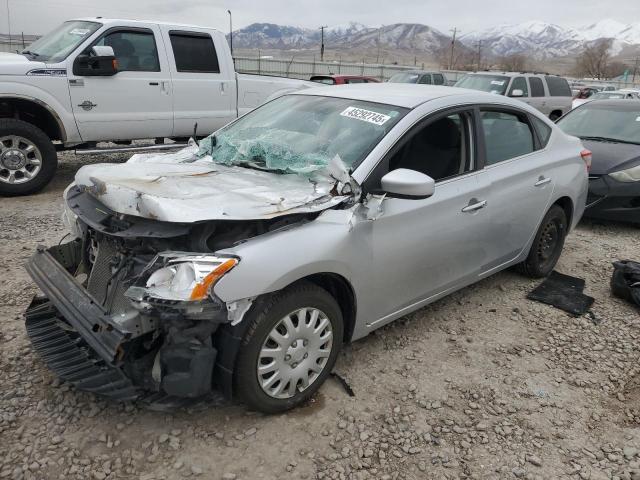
column 547, row 244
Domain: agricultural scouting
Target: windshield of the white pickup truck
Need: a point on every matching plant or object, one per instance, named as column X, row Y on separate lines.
column 58, row 44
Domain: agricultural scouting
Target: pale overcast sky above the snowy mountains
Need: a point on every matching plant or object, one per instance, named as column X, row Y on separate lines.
column 40, row 16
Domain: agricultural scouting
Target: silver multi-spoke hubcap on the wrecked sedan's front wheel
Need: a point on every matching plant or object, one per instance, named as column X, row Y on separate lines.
column 295, row 353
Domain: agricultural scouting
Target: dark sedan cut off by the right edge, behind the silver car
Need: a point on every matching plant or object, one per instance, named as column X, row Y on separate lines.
column 611, row 130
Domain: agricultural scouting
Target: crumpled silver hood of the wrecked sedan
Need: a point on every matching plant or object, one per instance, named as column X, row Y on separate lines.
column 163, row 187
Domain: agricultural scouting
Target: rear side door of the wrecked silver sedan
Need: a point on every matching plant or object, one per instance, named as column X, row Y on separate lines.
column 520, row 175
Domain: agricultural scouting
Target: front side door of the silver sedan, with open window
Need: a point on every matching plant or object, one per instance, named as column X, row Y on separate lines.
column 426, row 248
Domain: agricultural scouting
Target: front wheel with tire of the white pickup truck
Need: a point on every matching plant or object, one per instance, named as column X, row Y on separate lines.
column 28, row 159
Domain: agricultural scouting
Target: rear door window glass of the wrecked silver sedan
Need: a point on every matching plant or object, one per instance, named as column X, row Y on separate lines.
column 506, row 135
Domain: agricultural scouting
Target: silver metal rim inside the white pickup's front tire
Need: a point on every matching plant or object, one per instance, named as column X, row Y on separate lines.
column 20, row 159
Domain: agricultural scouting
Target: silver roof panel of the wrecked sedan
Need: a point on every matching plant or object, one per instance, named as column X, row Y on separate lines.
column 406, row 95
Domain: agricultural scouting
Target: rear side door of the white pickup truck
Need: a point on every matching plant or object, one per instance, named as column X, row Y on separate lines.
column 203, row 76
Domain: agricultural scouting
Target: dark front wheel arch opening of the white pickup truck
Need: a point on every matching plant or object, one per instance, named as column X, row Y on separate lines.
column 33, row 111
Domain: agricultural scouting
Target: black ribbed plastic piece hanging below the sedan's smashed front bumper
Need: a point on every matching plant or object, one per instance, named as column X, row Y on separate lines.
column 70, row 357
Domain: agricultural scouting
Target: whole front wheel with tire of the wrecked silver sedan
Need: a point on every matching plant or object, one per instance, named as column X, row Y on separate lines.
column 290, row 348
